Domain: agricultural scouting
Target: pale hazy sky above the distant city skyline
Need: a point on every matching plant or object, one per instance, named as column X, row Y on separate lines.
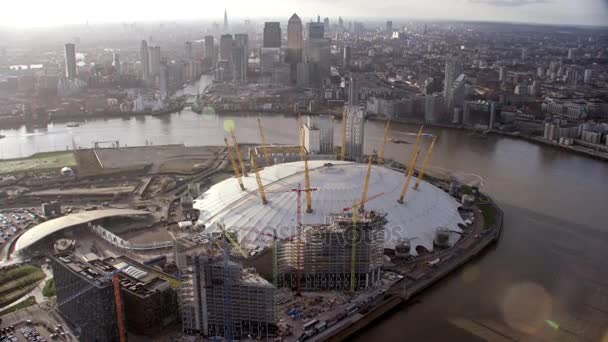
column 27, row 13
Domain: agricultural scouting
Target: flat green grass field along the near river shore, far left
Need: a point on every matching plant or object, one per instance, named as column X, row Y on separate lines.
column 39, row 162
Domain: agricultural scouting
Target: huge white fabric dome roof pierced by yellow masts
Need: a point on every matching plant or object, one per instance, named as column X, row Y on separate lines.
column 337, row 184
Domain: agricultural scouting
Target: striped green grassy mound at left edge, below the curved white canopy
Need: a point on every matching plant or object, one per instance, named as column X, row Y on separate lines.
column 17, row 282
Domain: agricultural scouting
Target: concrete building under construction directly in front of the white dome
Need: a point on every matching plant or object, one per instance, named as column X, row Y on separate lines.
column 326, row 254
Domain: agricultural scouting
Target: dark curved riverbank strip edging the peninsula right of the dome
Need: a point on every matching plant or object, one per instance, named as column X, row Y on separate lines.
column 404, row 291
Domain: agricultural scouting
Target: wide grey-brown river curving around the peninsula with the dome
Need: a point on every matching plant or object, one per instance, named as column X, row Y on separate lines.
column 547, row 277
